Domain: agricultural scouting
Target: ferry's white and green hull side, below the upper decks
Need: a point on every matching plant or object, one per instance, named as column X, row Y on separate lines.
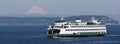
column 73, row 33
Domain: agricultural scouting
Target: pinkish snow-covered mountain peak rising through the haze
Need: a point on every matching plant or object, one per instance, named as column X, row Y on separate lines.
column 35, row 10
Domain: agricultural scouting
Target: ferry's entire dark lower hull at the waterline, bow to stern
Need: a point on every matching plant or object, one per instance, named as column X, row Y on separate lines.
column 83, row 34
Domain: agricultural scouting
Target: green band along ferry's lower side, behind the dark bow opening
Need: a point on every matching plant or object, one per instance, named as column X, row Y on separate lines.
column 82, row 34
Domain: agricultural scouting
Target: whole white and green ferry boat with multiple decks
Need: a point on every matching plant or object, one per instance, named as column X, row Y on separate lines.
column 62, row 28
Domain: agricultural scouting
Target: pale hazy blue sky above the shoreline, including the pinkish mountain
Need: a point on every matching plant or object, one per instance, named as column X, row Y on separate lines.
column 67, row 7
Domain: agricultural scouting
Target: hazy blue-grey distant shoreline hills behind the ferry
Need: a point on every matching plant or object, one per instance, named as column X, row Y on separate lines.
column 49, row 20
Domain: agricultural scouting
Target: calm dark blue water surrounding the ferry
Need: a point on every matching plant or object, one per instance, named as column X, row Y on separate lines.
column 37, row 35
